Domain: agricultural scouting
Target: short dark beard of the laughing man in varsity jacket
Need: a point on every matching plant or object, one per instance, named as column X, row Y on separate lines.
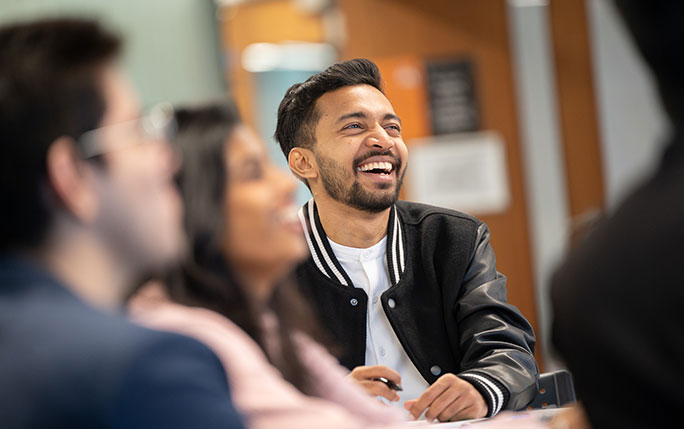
column 334, row 177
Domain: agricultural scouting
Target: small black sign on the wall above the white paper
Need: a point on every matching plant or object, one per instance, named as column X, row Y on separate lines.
column 451, row 88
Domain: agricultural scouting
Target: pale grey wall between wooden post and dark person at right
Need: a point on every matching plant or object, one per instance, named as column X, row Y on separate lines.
column 632, row 123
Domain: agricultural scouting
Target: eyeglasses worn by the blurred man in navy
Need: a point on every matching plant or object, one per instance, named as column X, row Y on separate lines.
column 158, row 125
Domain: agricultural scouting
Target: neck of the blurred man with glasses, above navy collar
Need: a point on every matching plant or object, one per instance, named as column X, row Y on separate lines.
column 84, row 267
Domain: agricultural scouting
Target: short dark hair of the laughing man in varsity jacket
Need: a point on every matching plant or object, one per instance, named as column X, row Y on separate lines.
column 297, row 115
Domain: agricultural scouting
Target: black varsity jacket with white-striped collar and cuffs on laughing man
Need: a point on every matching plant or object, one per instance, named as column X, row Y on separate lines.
column 446, row 303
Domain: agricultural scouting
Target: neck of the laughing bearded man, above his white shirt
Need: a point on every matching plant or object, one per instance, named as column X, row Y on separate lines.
column 349, row 226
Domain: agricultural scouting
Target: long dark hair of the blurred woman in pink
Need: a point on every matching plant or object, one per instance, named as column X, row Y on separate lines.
column 205, row 278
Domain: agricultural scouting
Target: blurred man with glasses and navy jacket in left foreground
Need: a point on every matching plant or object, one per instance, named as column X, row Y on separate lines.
column 87, row 210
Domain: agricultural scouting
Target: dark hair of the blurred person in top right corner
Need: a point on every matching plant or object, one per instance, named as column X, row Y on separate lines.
column 658, row 30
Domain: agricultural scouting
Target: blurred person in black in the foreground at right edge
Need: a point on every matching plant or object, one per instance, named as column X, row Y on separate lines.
column 618, row 299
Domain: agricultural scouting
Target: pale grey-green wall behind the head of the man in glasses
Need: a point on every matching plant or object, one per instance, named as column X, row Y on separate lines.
column 172, row 47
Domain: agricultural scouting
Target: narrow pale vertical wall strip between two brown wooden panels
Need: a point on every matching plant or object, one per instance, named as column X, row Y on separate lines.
column 545, row 178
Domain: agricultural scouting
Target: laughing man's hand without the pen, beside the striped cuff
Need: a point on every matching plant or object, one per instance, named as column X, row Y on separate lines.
column 449, row 398
